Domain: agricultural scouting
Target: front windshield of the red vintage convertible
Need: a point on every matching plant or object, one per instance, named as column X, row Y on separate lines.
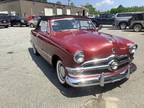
column 72, row 23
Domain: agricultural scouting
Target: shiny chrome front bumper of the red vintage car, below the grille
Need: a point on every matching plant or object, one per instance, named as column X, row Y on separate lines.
column 99, row 79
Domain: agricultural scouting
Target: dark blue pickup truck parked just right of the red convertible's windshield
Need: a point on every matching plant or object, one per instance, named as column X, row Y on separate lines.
column 104, row 19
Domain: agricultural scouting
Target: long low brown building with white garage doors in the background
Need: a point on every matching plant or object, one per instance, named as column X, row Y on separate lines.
column 32, row 7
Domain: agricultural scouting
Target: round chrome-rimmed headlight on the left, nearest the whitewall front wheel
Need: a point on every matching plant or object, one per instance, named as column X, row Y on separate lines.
column 79, row 57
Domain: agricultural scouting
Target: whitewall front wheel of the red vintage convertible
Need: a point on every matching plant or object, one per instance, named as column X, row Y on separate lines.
column 61, row 73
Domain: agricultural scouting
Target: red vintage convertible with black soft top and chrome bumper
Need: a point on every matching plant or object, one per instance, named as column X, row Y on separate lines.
column 81, row 55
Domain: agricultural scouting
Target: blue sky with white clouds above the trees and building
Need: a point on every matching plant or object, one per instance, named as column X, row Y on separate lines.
column 104, row 5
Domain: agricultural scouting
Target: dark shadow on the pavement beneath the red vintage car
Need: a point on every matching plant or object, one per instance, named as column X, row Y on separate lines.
column 50, row 73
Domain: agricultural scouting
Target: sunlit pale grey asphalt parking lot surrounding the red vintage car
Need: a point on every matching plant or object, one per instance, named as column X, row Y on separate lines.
column 27, row 81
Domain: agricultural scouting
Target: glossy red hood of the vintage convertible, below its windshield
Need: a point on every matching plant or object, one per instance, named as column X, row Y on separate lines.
column 94, row 44
